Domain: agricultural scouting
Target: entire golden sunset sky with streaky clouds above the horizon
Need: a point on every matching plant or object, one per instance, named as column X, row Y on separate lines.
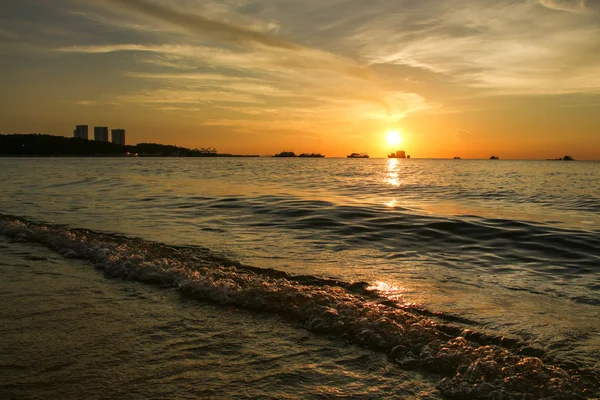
column 518, row 79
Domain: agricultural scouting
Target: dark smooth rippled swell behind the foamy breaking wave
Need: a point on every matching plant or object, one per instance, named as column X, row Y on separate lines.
column 551, row 253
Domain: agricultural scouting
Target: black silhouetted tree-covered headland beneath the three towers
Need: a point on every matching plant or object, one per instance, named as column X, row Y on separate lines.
column 50, row 145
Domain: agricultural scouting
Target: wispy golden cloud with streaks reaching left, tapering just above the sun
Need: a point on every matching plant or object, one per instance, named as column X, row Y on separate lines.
column 305, row 77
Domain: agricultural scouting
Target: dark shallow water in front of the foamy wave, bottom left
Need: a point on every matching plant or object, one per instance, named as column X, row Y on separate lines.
column 67, row 332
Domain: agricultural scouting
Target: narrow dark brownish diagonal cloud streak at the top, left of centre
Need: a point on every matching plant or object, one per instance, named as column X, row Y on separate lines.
column 217, row 30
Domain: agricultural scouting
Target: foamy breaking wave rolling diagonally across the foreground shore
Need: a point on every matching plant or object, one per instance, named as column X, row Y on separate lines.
column 470, row 364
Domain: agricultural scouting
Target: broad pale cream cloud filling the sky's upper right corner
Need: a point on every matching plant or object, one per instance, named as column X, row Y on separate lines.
column 502, row 48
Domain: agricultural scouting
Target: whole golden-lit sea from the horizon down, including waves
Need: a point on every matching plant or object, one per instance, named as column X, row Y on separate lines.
column 280, row 278
